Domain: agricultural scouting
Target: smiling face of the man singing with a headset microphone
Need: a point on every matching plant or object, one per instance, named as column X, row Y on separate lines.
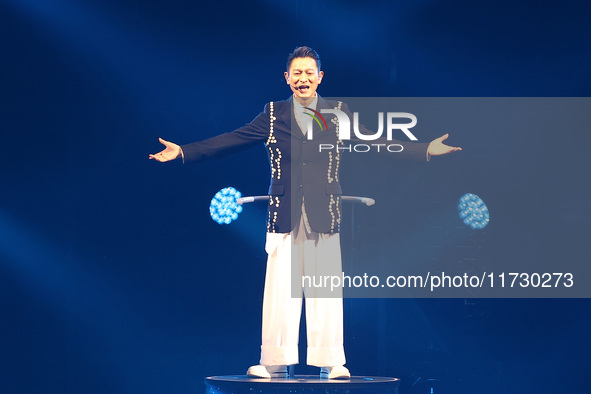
column 303, row 77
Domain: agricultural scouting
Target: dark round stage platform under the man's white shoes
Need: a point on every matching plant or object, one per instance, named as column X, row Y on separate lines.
column 239, row 384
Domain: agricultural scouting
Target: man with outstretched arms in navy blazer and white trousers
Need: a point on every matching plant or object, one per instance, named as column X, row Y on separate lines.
column 304, row 215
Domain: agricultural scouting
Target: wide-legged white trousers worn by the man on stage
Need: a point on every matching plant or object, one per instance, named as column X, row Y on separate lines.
column 292, row 255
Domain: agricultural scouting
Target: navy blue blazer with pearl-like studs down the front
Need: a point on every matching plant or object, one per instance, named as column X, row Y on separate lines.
column 300, row 171
